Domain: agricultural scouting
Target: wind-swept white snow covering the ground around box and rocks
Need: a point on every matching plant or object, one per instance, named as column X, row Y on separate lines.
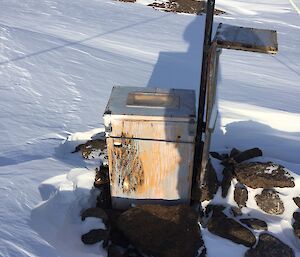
column 59, row 60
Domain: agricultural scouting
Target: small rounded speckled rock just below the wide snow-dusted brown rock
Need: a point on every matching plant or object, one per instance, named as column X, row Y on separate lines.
column 270, row 202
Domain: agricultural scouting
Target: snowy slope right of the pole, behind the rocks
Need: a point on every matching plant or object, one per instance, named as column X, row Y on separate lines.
column 261, row 92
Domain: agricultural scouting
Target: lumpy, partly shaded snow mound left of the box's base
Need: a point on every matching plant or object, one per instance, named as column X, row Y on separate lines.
column 57, row 219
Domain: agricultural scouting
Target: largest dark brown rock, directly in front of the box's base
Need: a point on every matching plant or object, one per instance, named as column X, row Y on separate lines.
column 162, row 231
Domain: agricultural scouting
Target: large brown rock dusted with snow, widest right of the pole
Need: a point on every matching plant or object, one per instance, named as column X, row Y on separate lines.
column 263, row 175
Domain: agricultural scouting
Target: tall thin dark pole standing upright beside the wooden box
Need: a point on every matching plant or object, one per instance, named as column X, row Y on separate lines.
column 210, row 6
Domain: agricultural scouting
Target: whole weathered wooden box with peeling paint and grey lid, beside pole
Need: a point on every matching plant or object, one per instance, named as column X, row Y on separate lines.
column 150, row 140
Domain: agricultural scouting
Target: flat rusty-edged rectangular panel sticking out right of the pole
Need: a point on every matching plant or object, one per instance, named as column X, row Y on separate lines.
column 246, row 39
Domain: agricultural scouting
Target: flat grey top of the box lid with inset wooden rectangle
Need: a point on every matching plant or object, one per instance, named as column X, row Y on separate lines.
column 151, row 102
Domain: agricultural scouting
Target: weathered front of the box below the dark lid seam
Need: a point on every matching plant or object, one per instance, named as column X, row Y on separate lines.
column 143, row 171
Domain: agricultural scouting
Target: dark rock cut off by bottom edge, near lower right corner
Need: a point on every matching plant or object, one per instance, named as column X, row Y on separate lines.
column 270, row 246
